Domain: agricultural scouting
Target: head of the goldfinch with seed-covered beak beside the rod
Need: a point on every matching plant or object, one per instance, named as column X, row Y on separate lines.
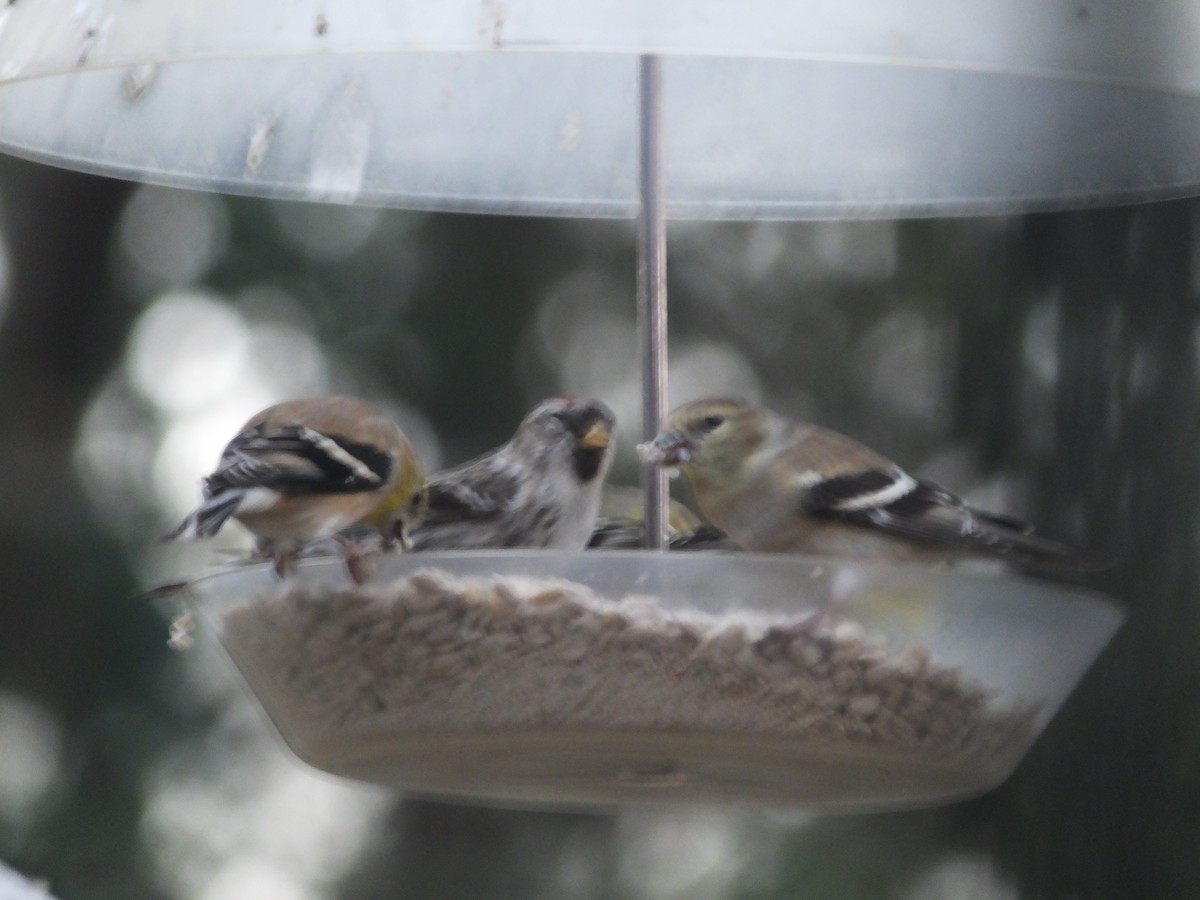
column 709, row 437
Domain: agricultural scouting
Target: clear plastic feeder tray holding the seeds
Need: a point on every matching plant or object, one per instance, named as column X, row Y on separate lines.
column 620, row 677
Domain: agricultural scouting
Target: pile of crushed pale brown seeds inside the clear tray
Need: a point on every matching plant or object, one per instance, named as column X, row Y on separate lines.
column 433, row 652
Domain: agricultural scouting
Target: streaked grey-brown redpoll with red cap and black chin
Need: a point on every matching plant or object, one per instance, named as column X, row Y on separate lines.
column 539, row 490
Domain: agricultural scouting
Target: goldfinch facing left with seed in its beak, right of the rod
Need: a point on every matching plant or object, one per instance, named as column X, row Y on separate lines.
column 775, row 485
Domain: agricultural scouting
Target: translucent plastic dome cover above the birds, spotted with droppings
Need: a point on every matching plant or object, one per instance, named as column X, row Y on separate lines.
column 771, row 110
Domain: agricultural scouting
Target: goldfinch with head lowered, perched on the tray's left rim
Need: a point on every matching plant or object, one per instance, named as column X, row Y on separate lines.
column 305, row 470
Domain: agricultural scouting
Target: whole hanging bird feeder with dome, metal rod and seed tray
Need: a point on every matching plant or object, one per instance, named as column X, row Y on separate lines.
column 650, row 676
